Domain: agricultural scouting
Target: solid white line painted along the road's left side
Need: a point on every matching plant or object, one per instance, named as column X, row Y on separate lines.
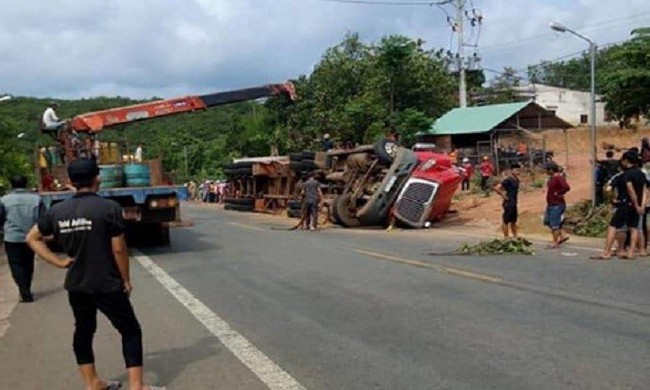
column 272, row 375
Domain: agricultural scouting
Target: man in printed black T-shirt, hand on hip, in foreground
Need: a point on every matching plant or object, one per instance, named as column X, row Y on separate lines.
column 91, row 232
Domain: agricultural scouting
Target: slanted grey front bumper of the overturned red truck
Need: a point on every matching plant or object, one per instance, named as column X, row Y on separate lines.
column 376, row 209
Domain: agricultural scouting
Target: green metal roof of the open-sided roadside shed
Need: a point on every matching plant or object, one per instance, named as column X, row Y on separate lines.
column 472, row 120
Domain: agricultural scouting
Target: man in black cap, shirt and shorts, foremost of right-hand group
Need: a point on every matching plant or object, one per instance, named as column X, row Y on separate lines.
column 629, row 207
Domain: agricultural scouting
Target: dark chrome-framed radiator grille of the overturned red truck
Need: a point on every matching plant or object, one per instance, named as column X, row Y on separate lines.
column 414, row 202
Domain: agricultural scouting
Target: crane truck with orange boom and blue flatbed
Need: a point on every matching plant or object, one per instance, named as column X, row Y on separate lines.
column 147, row 209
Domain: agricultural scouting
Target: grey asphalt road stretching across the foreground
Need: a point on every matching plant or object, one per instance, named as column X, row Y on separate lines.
column 341, row 309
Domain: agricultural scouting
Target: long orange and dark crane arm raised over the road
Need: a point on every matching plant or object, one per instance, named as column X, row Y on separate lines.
column 94, row 122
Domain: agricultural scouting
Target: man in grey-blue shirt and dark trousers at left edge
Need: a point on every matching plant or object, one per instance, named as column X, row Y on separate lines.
column 19, row 211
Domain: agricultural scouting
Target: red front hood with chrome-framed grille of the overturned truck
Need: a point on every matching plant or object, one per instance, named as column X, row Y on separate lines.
column 428, row 192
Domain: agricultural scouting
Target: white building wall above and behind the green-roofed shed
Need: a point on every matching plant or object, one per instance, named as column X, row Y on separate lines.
column 569, row 105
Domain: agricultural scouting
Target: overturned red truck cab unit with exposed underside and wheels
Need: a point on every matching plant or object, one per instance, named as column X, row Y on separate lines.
column 384, row 183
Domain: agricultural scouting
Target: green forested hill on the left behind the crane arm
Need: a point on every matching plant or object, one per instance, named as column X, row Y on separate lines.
column 211, row 137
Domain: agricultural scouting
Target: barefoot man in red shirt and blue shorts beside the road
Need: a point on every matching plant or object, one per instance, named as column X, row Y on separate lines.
column 555, row 204
